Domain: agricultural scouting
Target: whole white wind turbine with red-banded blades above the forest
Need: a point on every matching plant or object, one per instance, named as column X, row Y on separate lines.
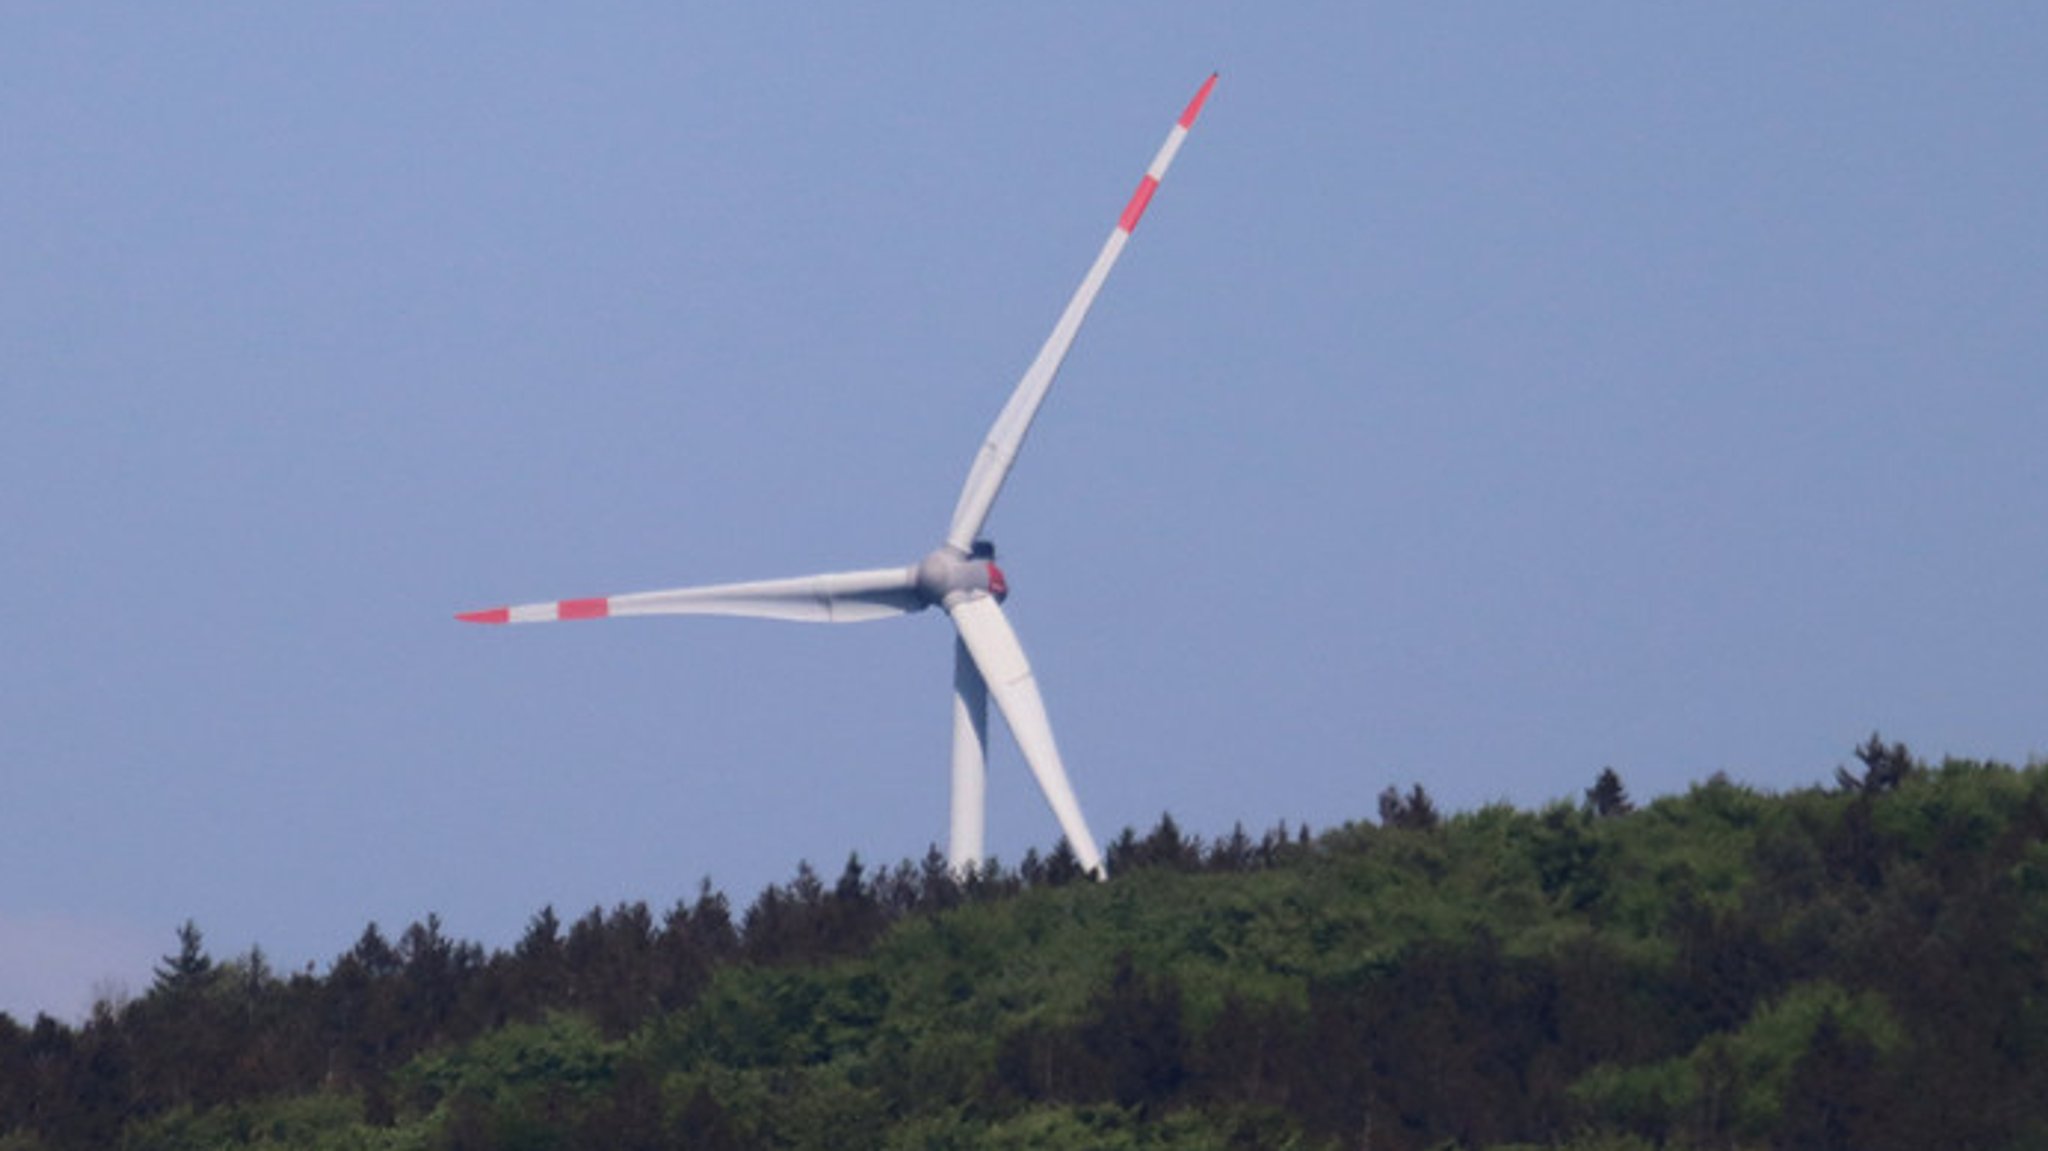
column 957, row 577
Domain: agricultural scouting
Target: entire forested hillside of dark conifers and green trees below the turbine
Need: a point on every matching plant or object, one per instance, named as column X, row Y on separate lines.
column 1861, row 966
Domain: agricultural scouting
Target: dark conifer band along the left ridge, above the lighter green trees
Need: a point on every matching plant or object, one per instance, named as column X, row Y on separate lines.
column 208, row 1033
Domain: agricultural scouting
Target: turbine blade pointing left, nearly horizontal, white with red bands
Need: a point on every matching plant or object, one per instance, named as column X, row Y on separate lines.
column 841, row 597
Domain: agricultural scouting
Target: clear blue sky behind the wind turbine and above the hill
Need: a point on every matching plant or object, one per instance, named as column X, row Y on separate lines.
column 1492, row 394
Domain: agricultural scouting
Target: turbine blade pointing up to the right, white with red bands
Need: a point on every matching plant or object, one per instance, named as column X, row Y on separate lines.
column 986, row 478
